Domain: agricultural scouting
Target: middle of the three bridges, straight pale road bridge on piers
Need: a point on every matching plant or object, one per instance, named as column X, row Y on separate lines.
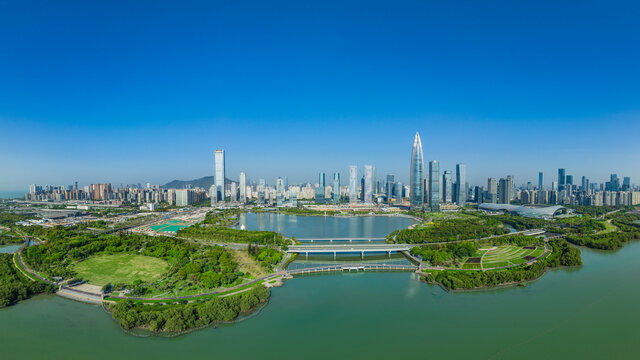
column 349, row 249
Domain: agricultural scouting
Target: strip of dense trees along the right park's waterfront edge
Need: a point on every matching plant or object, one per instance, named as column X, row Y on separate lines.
column 563, row 255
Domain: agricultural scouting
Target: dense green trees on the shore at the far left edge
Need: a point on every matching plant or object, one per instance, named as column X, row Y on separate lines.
column 14, row 286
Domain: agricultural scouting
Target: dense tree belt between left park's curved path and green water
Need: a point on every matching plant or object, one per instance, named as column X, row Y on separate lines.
column 179, row 318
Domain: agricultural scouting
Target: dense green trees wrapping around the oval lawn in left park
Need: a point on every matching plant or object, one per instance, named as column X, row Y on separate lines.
column 191, row 264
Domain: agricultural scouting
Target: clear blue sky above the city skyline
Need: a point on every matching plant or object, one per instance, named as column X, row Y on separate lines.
column 128, row 92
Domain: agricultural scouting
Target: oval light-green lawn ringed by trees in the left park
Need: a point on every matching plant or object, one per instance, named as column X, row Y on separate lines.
column 121, row 268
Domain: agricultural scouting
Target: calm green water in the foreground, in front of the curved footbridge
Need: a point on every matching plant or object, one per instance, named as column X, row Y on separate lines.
column 588, row 313
